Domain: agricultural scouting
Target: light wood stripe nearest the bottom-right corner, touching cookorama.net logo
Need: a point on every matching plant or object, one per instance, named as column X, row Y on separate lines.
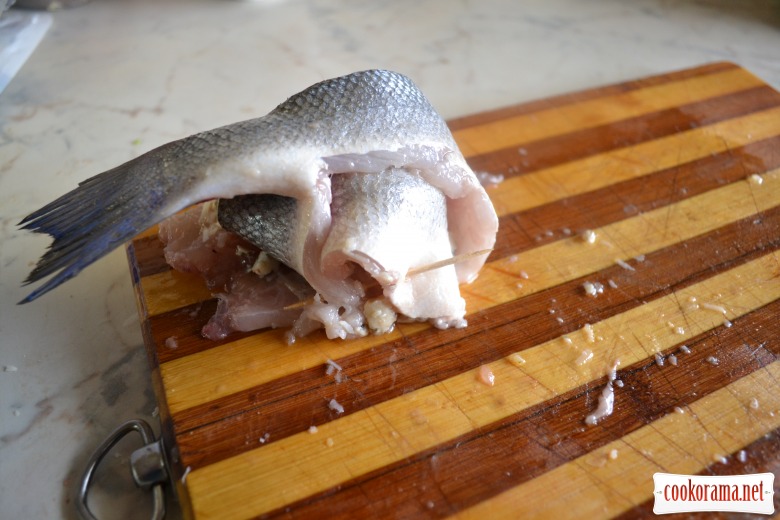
column 595, row 486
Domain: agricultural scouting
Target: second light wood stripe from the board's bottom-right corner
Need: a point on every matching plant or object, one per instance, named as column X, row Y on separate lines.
column 302, row 465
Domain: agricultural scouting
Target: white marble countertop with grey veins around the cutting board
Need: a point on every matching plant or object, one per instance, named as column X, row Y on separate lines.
column 115, row 78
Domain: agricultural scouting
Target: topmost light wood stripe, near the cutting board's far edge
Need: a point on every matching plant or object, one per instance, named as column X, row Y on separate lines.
column 546, row 123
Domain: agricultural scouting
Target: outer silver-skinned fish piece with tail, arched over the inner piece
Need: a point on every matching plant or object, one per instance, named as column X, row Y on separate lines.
column 366, row 122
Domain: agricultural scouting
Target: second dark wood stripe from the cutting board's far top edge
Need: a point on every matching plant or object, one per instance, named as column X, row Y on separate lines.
column 573, row 146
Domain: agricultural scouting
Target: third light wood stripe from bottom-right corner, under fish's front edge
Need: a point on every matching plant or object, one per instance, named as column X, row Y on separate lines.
column 230, row 368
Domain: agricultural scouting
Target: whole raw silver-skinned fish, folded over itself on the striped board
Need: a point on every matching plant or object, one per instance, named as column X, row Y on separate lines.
column 337, row 199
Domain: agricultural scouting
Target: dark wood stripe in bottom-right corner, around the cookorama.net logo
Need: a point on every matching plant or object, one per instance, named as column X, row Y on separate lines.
column 763, row 456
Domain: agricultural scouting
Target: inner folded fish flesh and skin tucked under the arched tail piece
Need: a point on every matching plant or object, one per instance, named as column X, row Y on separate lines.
column 385, row 229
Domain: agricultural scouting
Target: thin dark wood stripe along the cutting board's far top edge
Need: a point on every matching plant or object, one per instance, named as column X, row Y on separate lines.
column 586, row 95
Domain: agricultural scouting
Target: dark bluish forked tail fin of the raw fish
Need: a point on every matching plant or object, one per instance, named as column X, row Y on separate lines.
column 102, row 213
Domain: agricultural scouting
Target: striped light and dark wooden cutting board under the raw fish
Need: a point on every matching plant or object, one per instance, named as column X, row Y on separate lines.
column 677, row 179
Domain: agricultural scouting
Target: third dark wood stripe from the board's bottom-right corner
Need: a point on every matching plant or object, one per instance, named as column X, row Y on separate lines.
column 289, row 405
